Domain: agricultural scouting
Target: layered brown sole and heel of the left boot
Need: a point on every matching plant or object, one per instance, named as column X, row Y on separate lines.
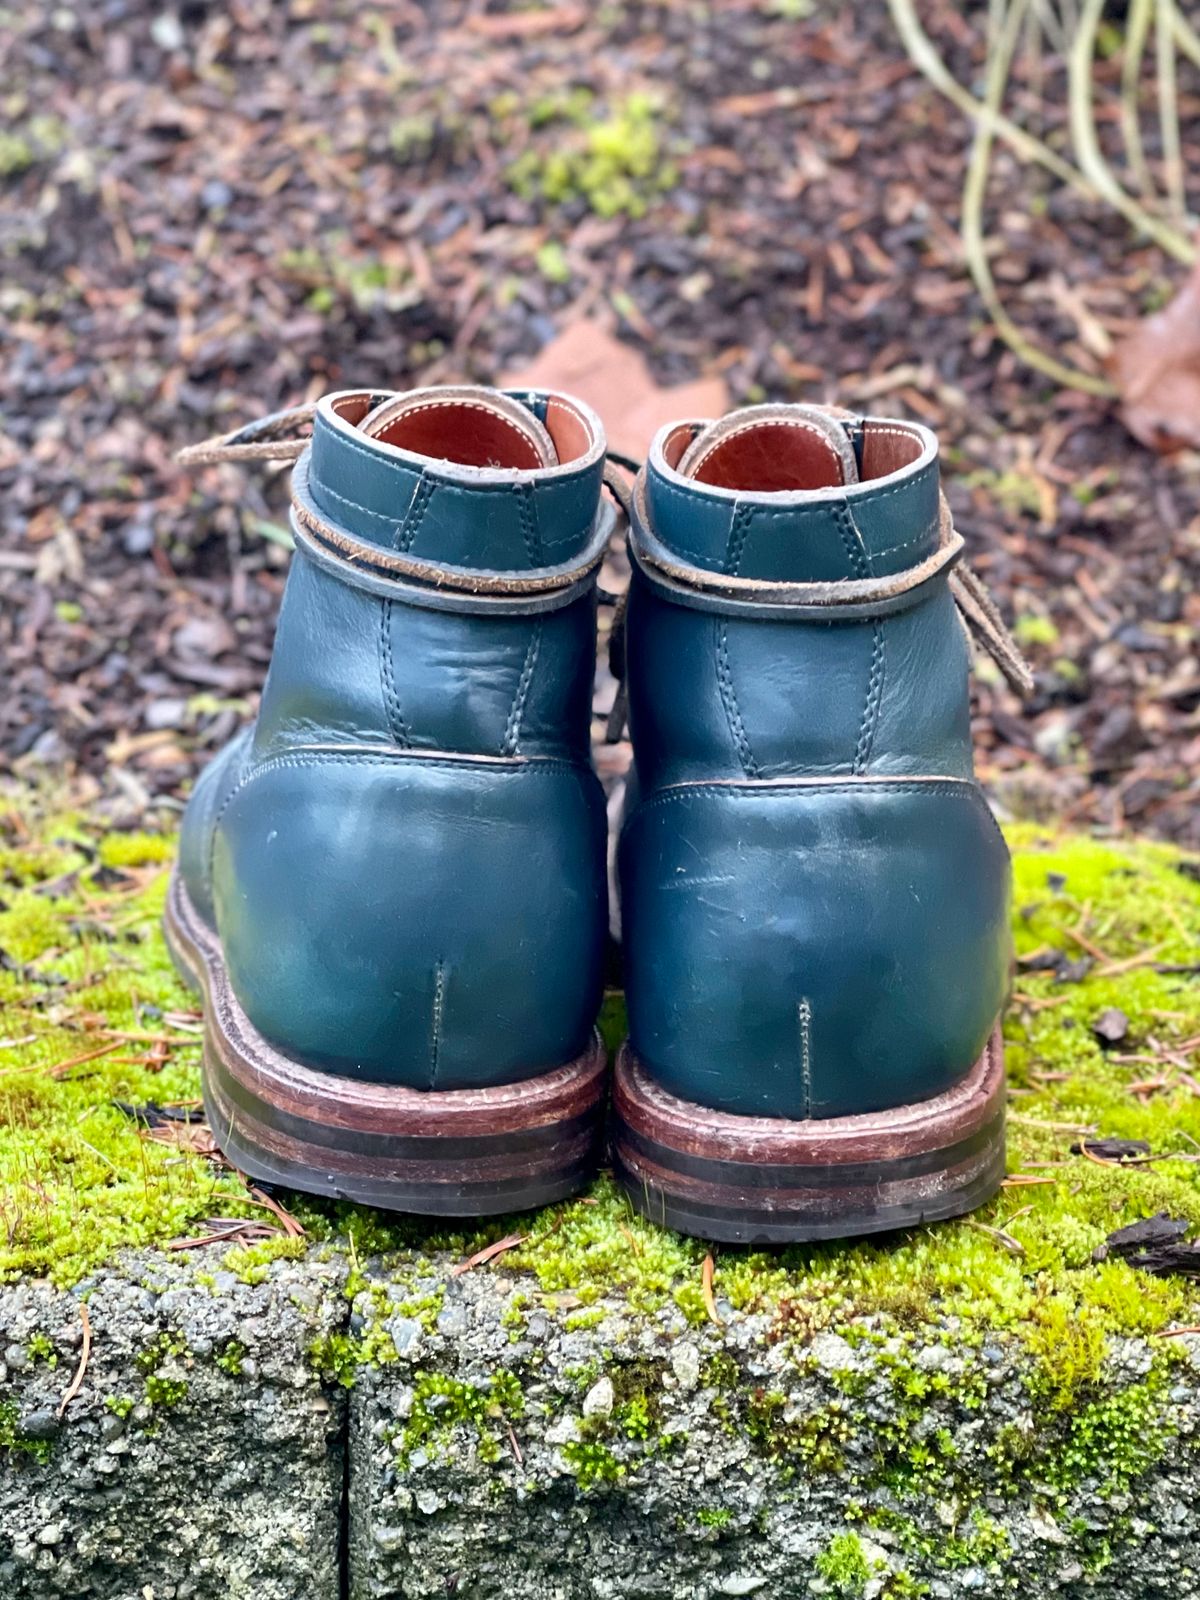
column 454, row 1153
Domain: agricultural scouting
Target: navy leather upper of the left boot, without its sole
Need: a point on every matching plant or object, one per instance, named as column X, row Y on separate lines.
column 406, row 857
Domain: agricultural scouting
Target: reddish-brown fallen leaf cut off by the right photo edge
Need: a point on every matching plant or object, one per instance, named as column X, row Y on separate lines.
column 1158, row 374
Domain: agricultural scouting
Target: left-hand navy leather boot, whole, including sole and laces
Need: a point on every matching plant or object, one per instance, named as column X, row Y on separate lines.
column 391, row 890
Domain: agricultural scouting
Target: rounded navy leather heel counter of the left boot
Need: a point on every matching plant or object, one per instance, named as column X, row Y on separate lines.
column 428, row 922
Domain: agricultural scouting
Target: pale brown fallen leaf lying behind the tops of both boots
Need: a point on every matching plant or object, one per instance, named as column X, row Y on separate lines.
column 614, row 378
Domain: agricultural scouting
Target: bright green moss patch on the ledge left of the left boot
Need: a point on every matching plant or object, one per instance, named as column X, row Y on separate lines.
column 87, row 977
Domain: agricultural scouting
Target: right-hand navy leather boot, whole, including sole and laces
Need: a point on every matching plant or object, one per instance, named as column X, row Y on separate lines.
column 814, row 892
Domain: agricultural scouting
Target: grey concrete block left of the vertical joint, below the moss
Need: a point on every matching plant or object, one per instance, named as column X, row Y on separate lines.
column 202, row 1455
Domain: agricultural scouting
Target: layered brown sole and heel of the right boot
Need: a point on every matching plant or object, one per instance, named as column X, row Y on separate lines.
column 772, row 1180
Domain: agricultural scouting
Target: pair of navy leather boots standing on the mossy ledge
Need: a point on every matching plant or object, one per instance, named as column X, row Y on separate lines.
column 393, row 889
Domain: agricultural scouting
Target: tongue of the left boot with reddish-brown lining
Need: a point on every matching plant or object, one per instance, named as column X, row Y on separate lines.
column 474, row 428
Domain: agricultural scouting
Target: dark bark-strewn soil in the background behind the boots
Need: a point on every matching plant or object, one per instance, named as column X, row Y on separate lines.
column 212, row 212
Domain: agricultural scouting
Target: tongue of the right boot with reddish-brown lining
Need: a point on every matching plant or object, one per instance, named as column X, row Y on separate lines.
column 772, row 449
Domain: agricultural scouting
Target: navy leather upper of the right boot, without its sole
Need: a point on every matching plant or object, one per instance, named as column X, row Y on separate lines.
column 804, row 836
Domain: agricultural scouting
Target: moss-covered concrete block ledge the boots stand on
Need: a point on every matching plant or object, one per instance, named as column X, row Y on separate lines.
column 986, row 1409
